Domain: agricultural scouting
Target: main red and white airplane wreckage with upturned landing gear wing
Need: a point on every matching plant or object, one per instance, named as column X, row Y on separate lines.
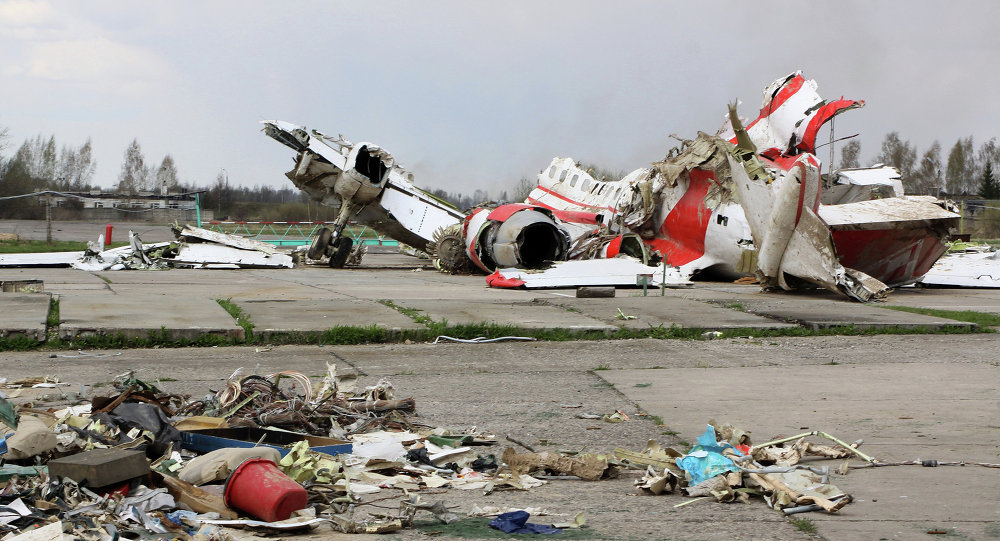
column 749, row 200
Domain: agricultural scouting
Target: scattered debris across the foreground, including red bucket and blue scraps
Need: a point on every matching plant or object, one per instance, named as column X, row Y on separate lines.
column 281, row 452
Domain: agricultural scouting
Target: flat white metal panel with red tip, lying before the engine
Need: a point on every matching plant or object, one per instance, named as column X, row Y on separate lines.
column 617, row 271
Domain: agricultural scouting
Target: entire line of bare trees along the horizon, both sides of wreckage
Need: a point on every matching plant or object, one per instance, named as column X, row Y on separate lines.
column 40, row 163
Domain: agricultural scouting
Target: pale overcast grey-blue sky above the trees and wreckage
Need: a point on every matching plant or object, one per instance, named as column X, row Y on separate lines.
column 472, row 94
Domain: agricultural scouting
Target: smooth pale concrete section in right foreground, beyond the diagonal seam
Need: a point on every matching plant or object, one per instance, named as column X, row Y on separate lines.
column 922, row 410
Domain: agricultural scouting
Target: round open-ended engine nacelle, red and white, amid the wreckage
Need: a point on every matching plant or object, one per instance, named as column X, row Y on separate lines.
column 514, row 235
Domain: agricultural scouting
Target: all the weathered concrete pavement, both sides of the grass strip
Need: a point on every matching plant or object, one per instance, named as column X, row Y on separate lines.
column 909, row 397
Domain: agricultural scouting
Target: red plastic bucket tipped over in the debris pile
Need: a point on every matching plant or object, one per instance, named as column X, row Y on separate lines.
column 258, row 488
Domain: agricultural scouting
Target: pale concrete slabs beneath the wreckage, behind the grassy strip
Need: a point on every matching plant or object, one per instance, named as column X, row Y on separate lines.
column 312, row 298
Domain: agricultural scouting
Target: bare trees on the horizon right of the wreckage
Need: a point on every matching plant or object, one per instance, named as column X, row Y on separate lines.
column 967, row 171
